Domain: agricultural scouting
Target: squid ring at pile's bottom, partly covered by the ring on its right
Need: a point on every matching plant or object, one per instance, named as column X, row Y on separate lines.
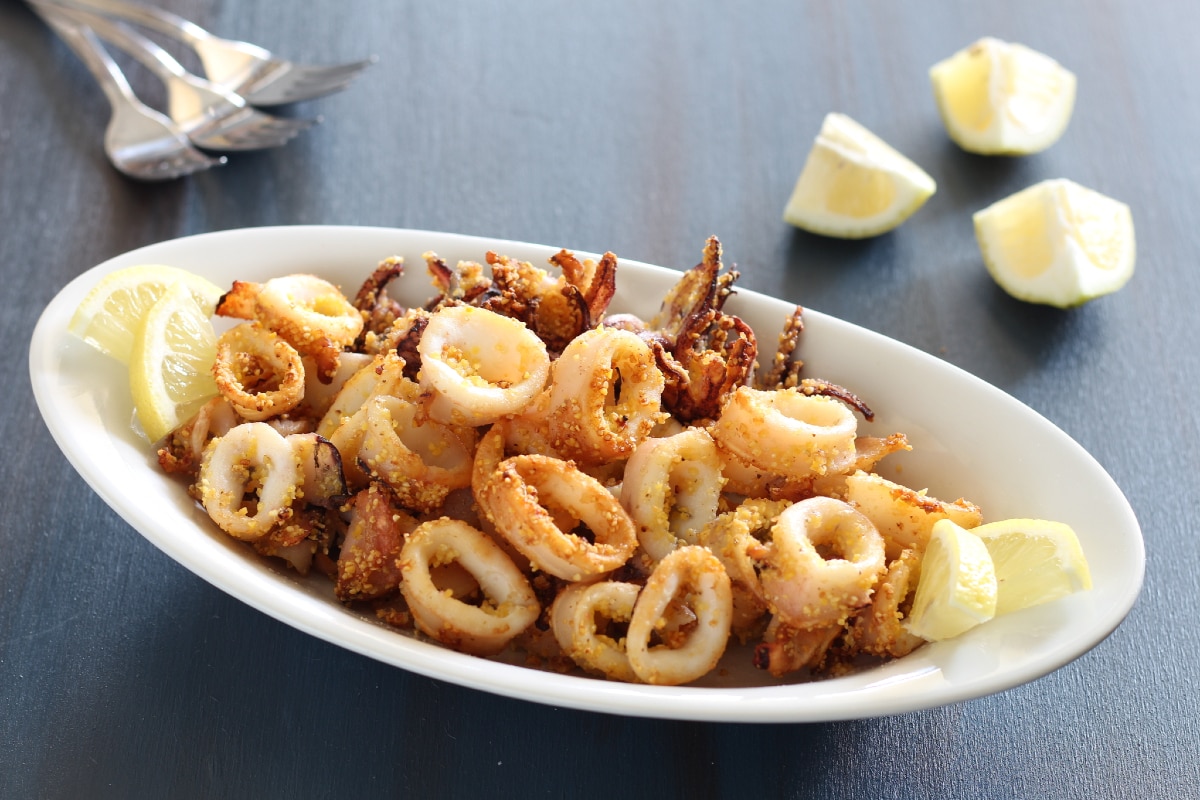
column 573, row 619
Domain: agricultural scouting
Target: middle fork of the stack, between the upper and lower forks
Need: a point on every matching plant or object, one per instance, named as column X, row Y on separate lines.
column 212, row 117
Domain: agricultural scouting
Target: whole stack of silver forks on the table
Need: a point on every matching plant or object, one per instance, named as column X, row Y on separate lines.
column 205, row 116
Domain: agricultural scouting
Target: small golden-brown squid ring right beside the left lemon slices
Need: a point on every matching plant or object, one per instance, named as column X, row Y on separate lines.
column 260, row 374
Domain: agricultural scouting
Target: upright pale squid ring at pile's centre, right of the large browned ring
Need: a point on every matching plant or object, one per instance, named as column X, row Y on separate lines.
column 671, row 490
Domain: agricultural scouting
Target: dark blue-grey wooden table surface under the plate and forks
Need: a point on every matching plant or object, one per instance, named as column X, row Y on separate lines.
column 640, row 129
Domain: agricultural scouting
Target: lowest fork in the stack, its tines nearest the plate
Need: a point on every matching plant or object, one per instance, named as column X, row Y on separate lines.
column 140, row 142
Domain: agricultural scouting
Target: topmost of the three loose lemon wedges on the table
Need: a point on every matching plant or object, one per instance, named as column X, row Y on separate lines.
column 1004, row 99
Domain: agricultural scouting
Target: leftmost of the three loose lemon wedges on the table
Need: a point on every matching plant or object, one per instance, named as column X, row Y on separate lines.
column 855, row 185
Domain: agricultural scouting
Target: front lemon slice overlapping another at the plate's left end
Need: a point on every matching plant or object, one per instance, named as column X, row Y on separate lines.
column 171, row 363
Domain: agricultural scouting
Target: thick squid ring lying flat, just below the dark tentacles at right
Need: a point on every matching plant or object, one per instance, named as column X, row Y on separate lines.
column 788, row 432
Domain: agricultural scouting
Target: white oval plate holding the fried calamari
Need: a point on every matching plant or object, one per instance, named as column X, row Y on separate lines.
column 969, row 440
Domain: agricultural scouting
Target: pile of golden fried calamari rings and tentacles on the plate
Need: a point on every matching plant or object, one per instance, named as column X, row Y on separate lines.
column 511, row 466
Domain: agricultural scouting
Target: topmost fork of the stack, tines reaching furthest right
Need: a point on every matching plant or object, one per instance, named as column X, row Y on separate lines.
column 257, row 75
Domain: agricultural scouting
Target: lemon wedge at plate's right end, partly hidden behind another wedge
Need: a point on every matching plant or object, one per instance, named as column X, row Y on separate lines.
column 1036, row 562
